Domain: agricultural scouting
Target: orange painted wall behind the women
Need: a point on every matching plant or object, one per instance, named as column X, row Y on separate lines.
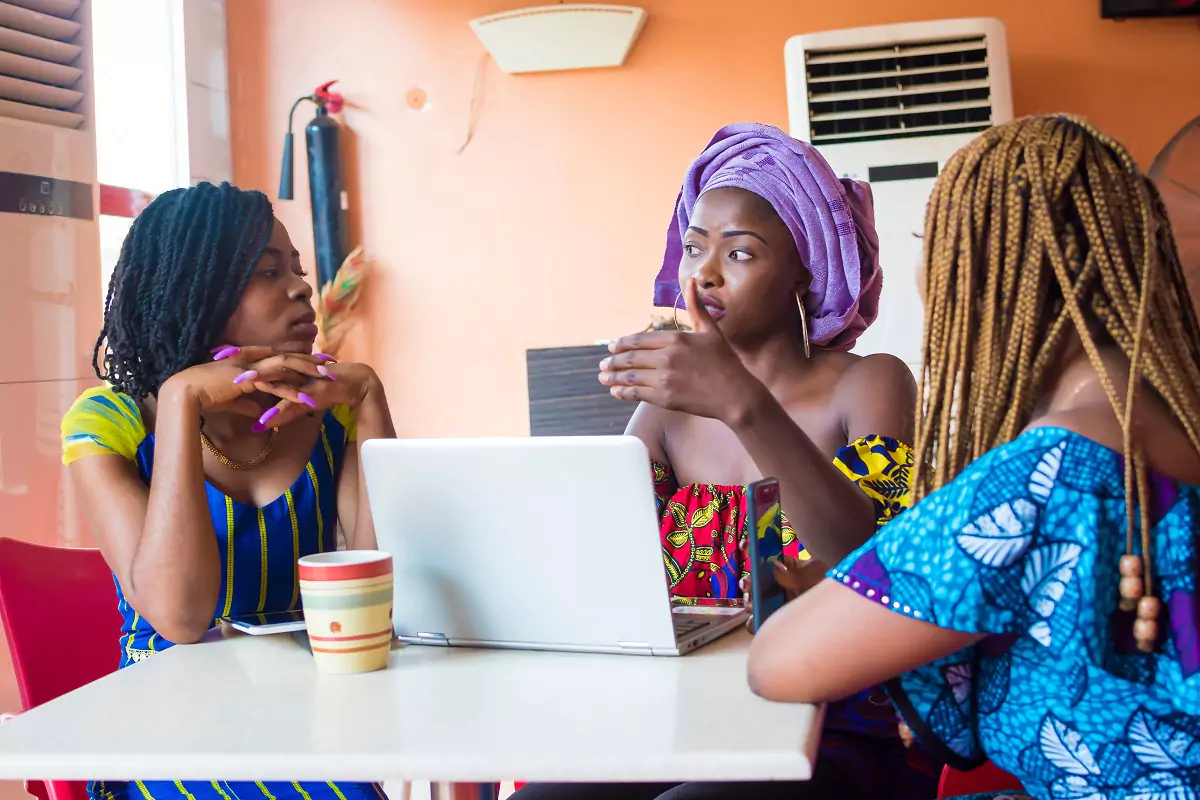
column 549, row 228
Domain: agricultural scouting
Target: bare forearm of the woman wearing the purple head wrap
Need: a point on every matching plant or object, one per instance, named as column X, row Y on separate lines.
column 831, row 516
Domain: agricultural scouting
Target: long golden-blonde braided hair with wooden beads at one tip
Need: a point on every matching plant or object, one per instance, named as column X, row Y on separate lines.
column 1040, row 227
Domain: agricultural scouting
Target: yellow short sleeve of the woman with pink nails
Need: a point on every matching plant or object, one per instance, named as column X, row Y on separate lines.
column 103, row 423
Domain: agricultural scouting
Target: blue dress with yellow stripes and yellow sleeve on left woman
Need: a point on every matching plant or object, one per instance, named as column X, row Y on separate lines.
column 259, row 550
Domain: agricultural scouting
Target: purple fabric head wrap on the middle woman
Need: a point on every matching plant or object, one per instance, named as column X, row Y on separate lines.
column 832, row 220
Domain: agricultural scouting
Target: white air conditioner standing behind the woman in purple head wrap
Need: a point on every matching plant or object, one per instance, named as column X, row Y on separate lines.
column 891, row 105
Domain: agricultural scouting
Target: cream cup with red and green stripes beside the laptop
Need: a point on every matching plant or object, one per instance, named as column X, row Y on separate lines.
column 347, row 610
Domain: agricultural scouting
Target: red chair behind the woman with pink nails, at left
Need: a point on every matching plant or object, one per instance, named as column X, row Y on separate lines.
column 59, row 613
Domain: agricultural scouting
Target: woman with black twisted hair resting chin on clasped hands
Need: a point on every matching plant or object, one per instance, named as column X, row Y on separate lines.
column 251, row 438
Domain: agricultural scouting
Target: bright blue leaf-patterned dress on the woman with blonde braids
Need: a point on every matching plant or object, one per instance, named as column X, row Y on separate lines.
column 1024, row 548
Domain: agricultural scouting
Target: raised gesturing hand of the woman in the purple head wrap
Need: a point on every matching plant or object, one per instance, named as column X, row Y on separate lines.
column 697, row 374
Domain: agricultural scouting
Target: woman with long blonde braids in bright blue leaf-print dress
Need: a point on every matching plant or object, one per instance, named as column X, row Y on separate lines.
column 1040, row 604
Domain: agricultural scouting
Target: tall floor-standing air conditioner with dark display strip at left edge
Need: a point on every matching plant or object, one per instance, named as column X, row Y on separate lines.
column 50, row 261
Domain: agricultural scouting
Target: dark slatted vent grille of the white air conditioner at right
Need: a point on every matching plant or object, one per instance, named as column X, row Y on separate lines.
column 899, row 92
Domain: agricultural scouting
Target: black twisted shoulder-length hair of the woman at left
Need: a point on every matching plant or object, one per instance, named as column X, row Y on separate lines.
column 182, row 272
